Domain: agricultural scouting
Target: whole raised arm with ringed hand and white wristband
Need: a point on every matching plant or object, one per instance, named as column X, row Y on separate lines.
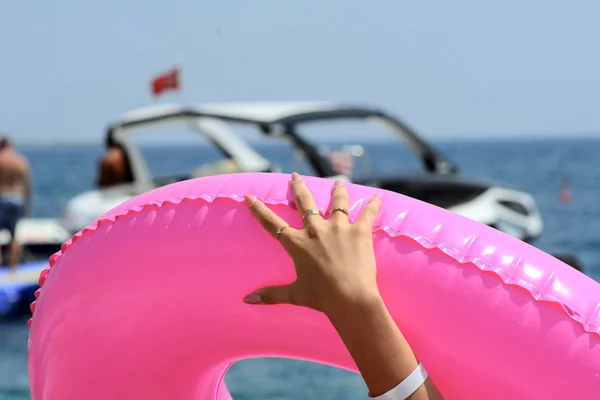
column 336, row 274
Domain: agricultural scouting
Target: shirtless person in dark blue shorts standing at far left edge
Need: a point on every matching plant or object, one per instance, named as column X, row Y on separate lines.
column 15, row 195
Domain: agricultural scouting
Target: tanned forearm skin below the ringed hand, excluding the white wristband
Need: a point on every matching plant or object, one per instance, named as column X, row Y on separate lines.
column 377, row 346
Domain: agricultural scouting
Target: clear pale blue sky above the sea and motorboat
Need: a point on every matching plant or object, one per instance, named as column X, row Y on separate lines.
column 447, row 67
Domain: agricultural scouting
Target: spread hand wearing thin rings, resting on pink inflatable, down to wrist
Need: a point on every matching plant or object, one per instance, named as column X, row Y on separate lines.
column 334, row 259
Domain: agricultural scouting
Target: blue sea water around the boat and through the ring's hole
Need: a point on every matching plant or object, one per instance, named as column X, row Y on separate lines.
column 534, row 166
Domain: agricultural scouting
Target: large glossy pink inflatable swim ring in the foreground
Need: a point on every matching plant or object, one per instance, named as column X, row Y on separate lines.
column 146, row 302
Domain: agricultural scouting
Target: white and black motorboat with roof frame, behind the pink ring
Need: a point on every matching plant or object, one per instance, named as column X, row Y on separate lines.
column 506, row 209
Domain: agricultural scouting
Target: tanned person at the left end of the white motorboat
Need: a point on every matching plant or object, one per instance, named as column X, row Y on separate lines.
column 113, row 167
